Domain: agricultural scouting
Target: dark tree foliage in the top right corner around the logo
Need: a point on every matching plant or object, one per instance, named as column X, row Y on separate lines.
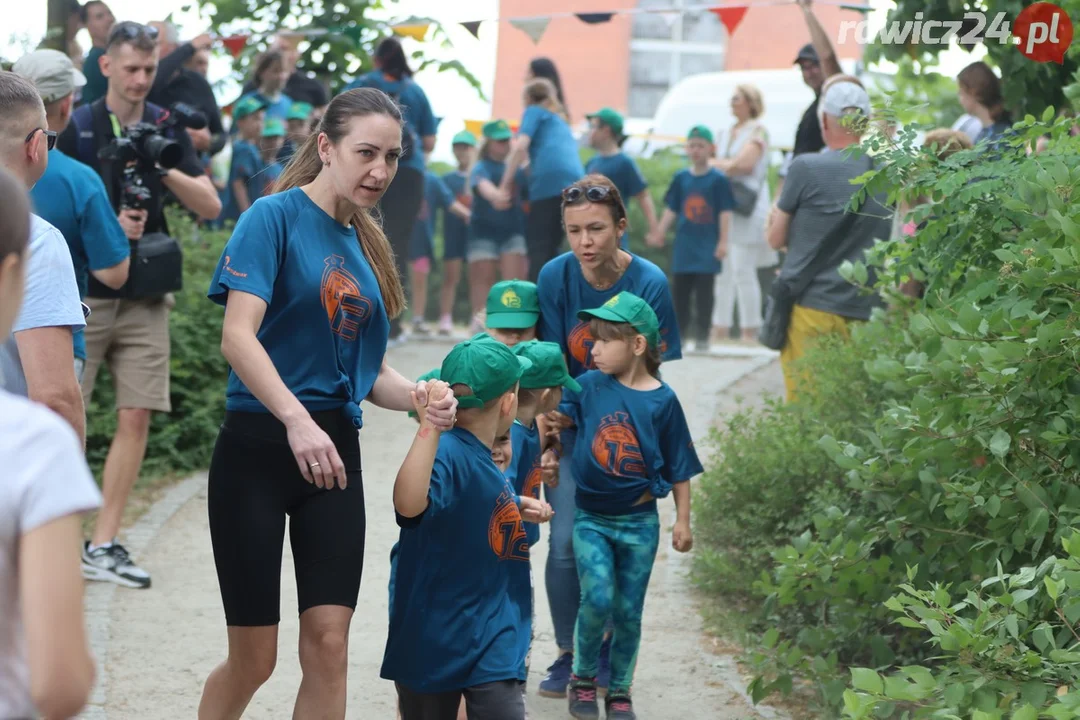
column 1029, row 87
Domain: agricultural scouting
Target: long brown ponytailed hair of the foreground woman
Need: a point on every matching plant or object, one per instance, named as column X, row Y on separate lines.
column 306, row 166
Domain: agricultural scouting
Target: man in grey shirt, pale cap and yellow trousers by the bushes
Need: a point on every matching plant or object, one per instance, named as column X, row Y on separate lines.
column 812, row 220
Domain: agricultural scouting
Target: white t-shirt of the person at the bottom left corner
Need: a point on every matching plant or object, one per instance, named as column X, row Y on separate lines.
column 44, row 478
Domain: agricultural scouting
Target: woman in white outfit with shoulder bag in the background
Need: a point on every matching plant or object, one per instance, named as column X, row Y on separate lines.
column 746, row 161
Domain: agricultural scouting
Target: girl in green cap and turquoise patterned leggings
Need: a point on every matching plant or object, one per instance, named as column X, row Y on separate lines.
column 634, row 447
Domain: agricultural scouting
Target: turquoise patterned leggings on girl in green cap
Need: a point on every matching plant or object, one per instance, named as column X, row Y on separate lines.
column 615, row 556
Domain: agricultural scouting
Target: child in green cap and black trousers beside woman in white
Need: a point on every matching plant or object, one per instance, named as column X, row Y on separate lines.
column 701, row 200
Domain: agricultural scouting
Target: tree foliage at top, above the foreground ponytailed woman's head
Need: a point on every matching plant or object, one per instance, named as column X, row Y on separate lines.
column 336, row 57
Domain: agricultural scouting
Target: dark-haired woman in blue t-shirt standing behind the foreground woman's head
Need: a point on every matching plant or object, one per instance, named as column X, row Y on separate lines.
column 401, row 206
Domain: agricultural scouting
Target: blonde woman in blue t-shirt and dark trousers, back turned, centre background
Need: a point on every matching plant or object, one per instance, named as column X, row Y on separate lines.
column 546, row 140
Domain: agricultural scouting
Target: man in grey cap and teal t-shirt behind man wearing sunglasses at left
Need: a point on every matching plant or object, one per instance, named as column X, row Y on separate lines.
column 71, row 196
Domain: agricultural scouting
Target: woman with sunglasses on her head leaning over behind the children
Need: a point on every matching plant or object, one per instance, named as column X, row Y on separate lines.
column 595, row 271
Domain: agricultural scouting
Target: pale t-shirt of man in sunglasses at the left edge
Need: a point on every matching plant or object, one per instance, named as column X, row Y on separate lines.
column 51, row 298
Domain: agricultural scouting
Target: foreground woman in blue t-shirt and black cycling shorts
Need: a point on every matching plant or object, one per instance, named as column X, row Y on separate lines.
column 309, row 284
